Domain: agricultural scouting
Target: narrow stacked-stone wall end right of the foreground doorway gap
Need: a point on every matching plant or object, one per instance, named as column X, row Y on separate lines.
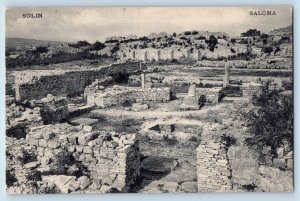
column 213, row 169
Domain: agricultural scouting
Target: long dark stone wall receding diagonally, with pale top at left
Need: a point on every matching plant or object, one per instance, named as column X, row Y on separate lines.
column 37, row 84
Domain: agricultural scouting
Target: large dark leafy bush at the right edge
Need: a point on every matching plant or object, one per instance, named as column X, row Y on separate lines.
column 272, row 122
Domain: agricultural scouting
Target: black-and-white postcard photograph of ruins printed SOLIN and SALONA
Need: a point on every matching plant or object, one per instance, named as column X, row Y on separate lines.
column 149, row 99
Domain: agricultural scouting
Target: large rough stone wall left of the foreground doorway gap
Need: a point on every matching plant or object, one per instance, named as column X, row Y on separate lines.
column 112, row 159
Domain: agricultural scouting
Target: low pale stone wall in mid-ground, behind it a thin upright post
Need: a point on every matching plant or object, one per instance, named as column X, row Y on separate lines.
column 118, row 95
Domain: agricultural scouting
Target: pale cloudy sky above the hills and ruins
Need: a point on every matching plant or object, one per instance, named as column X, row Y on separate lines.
column 96, row 23
